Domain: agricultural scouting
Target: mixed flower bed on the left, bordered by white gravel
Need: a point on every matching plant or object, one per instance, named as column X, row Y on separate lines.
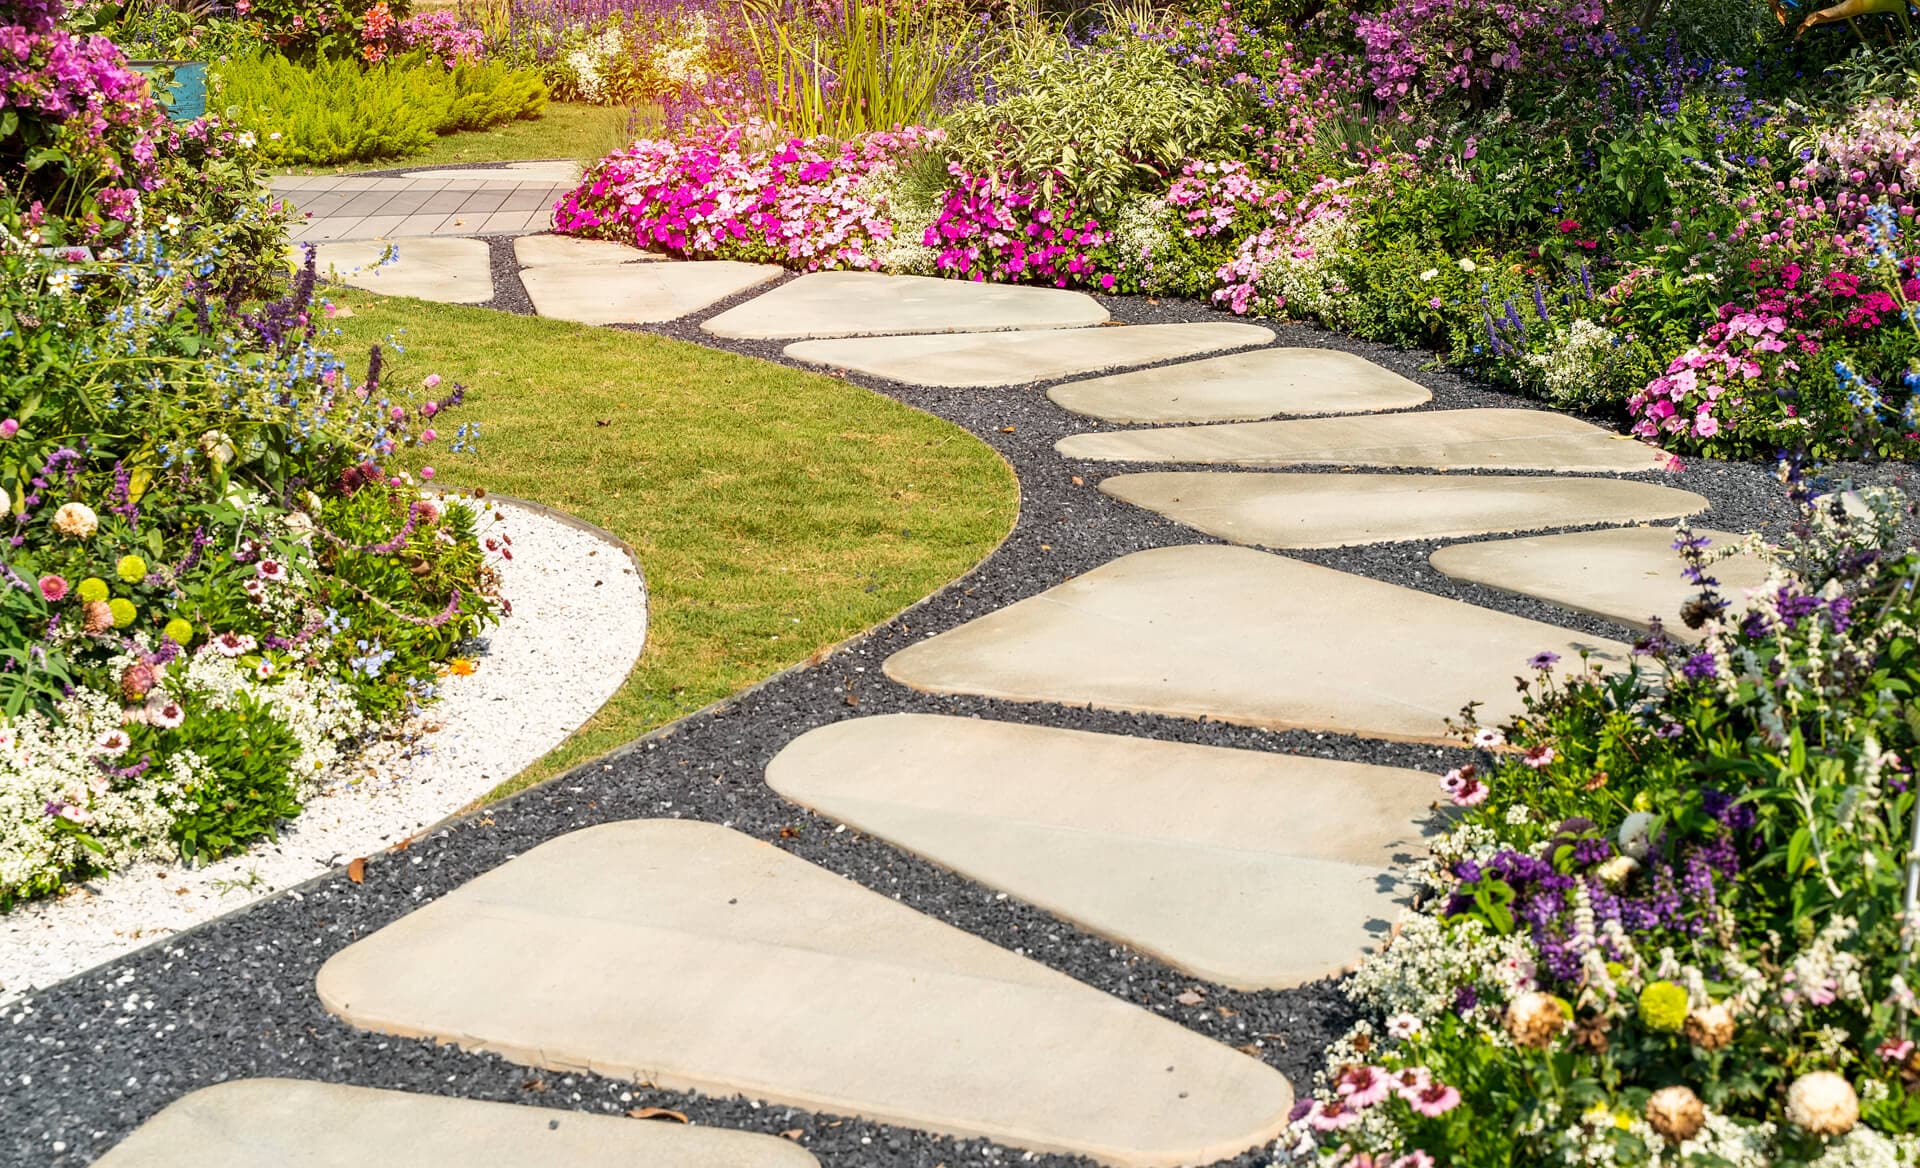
column 210, row 583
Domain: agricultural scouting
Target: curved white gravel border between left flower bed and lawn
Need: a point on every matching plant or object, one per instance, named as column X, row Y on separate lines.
column 579, row 623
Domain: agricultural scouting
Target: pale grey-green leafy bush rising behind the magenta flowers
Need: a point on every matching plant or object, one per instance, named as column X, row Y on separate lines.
column 1092, row 124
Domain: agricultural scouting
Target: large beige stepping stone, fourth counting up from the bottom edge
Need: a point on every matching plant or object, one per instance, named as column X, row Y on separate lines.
column 1247, row 637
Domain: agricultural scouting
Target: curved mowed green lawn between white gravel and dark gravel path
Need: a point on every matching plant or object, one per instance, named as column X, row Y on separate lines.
column 775, row 512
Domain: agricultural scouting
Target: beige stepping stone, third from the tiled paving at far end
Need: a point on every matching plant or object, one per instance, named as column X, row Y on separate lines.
column 873, row 304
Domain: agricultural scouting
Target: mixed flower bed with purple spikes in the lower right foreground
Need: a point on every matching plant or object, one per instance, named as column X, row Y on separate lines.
column 1668, row 925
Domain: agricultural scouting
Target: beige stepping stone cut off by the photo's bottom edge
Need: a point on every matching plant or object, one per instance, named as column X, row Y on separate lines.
column 300, row 1125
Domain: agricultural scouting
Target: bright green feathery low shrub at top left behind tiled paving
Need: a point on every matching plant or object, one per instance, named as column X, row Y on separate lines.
column 339, row 110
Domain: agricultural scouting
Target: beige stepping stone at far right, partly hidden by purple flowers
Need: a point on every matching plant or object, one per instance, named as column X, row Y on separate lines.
column 1621, row 575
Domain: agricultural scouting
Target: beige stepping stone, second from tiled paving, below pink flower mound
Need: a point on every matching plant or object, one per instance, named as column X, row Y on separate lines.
column 638, row 293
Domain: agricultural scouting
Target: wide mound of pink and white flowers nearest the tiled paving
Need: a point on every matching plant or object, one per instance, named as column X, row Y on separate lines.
column 713, row 193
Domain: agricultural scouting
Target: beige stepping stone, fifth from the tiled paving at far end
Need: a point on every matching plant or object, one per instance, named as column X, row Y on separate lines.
column 1243, row 387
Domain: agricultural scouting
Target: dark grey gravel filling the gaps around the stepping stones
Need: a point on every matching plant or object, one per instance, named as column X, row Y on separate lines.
column 89, row 1059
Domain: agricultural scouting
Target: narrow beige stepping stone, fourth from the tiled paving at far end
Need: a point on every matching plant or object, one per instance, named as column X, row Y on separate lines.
column 1020, row 358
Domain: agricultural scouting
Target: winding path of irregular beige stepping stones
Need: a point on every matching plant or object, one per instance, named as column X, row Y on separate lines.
column 692, row 956
